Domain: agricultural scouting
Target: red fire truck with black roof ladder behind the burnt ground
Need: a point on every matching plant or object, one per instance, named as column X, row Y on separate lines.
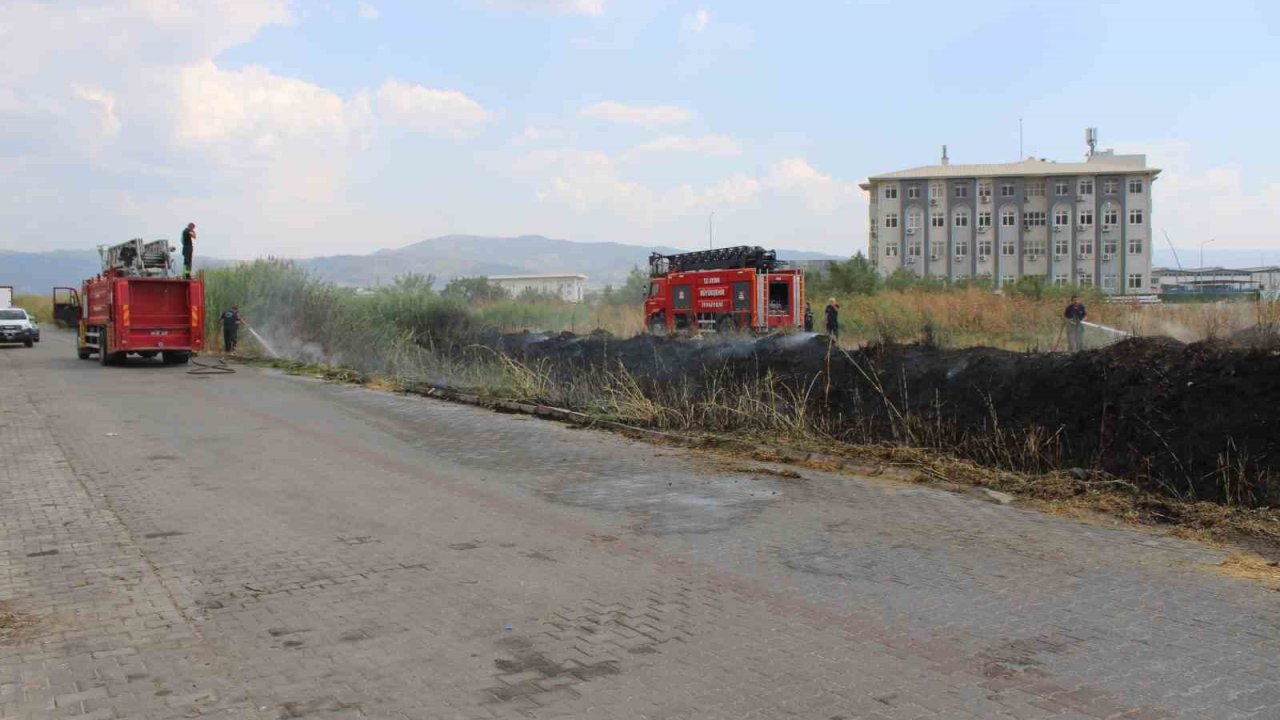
column 728, row 289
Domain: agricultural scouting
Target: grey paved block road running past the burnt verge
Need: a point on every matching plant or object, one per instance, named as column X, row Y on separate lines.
column 262, row 546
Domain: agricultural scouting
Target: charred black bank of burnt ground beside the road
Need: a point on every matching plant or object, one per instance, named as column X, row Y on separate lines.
column 1199, row 421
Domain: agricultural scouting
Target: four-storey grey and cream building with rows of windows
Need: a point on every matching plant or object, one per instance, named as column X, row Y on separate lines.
column 1073, row 224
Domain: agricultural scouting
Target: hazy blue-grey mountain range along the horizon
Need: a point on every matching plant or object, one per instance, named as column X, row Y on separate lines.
column 450, row 257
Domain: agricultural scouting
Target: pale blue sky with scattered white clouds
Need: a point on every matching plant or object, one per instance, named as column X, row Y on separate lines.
column 319, row 127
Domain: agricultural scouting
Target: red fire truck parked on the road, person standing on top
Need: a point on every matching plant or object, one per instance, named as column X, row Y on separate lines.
column 136, row 307
